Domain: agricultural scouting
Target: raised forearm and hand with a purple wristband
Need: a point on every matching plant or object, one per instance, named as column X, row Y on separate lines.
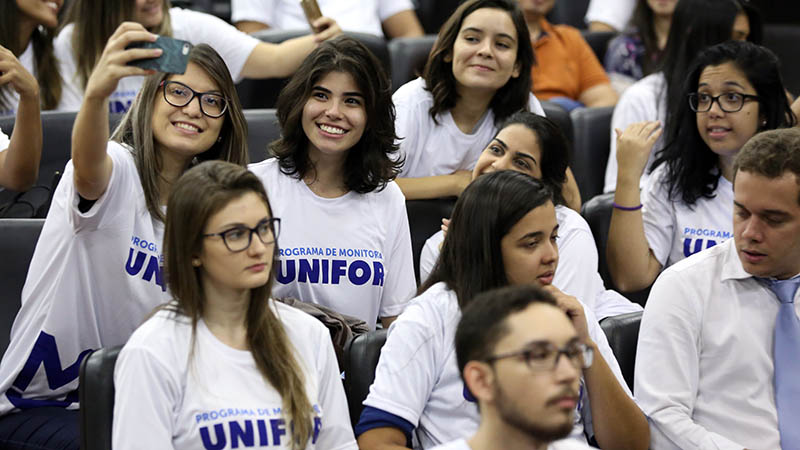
column 632, row 264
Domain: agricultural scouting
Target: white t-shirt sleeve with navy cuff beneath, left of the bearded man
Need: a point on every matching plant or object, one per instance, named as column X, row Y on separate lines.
column 409, row 364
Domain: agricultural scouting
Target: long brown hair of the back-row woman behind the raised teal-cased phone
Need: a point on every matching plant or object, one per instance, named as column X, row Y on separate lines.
column 94, row 22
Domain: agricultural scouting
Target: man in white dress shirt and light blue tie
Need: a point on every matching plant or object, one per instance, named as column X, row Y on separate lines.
column 710, row 367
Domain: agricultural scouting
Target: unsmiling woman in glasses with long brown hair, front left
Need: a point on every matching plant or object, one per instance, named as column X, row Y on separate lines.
column 222, row 357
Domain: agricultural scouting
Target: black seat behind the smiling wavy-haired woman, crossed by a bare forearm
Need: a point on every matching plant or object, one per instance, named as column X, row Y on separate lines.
column 264, row 93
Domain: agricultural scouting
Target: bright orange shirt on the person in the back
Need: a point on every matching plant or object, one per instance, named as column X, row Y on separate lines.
column 565, row 64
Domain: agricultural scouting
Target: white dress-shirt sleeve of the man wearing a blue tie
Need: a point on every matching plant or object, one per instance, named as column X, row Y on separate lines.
column 667, row 371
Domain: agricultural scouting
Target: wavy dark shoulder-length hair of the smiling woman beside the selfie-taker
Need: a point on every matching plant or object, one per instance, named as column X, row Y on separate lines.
column 371, row 163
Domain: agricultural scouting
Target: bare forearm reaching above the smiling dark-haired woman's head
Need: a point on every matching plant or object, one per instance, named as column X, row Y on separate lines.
column 269, row 60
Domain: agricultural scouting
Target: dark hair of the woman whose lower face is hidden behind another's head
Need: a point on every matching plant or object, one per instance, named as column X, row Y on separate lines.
column 554, row 146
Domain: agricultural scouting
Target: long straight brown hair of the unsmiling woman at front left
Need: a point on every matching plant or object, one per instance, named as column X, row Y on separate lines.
column 200, row 193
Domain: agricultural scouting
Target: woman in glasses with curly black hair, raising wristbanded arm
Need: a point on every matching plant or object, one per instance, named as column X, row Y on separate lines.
column 733, row 91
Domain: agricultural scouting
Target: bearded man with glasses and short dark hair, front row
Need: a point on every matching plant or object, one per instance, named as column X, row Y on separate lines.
column 509, row 344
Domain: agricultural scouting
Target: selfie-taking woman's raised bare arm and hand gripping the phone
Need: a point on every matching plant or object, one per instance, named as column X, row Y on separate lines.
column 90, row 132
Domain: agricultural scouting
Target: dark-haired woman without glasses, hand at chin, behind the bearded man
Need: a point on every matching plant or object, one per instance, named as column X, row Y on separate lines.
column 503, row 232
